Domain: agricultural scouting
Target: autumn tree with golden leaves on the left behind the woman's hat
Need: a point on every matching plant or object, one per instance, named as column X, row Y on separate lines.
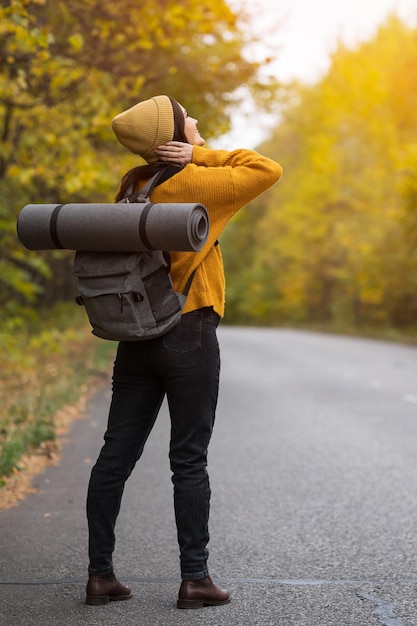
column 66, row 68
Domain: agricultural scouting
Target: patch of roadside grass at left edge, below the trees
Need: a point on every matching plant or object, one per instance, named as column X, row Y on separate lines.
column 44, row 368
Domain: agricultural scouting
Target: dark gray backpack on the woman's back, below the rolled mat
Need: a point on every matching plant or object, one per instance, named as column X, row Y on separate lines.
column 128, row 296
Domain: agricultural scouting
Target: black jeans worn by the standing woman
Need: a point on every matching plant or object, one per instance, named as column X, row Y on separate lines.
column 184, row 364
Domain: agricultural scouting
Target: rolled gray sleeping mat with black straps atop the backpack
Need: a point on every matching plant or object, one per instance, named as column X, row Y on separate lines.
column 121, row 227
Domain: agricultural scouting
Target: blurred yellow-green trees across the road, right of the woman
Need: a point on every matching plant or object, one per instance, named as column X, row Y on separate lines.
column 336, row 240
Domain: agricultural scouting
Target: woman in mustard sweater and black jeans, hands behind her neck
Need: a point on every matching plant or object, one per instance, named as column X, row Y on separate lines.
column 184, row 364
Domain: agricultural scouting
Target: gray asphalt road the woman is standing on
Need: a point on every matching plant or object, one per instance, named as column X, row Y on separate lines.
column 313, row 465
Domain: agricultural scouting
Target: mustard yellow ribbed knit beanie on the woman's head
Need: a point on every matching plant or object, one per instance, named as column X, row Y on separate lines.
column 145, row 126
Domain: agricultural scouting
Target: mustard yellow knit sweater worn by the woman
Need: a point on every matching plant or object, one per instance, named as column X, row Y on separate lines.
column 223, row 182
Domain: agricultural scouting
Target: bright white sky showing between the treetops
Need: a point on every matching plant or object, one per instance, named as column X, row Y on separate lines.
column 304, row 33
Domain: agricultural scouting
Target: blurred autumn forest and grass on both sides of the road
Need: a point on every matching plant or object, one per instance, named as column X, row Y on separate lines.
column 332, row 246
